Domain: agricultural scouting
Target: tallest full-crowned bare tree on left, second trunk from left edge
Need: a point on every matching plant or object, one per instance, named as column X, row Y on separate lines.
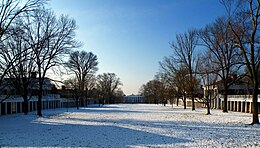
column 50, row 39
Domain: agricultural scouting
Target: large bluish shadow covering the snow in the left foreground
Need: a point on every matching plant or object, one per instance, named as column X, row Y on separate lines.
column 45, row 134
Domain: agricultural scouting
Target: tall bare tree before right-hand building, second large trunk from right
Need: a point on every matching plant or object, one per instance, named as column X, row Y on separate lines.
column 219, row 40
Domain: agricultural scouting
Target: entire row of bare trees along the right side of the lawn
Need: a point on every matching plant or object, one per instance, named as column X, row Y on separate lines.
column 226, row 50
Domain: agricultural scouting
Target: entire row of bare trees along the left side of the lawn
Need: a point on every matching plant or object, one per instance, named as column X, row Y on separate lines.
column 35, row 41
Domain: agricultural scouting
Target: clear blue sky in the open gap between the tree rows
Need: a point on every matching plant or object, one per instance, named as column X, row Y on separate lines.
column 130, row 37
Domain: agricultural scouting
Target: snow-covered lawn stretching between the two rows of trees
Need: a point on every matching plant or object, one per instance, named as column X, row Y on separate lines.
column 125, row 125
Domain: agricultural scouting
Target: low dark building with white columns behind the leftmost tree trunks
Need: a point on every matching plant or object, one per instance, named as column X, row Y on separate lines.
column 11, row 101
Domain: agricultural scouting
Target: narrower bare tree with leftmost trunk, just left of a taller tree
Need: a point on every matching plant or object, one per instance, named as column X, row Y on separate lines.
column 22, row 67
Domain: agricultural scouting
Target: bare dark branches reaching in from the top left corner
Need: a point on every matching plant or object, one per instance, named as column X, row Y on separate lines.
column 10, row 10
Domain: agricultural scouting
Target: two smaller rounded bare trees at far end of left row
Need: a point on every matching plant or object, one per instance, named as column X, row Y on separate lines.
column 83, row 66
